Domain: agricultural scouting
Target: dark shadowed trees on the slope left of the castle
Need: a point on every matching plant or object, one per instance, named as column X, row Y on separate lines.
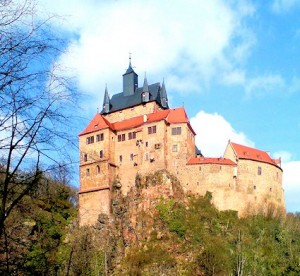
column 37, row 229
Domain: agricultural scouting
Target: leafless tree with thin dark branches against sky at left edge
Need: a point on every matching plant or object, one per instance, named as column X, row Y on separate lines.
column 36, row 102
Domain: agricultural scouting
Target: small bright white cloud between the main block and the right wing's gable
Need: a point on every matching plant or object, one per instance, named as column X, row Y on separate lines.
column 213, row 133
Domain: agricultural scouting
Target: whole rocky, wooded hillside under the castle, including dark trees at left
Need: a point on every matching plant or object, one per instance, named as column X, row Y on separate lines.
column 154, row 230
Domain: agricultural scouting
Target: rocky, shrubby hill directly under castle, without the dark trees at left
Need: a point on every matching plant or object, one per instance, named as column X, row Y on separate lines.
column 157, row 231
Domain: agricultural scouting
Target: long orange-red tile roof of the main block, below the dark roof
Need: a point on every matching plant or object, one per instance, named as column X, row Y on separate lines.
column 172, row 116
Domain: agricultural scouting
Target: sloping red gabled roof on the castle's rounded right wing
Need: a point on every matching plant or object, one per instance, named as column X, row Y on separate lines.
column 244, row 152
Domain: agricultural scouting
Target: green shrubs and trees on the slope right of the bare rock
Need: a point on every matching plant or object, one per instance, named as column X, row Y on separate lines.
column 219, row 243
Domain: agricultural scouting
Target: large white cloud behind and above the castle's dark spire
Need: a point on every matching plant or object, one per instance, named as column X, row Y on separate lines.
column 189, row 41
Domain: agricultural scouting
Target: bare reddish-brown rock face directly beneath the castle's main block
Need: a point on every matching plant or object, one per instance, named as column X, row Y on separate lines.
column 134, row 215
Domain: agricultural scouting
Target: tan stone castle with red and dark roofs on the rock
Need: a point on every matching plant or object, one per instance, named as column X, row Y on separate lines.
column 137, row 132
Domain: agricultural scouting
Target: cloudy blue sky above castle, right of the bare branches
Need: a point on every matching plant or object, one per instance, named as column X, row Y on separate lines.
column 234, row 65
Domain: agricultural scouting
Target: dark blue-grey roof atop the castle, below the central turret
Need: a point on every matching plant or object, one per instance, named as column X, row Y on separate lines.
column 119, row 101
